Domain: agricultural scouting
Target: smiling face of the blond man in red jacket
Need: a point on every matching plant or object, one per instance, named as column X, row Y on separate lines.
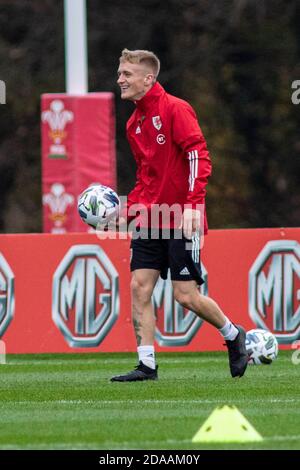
column 134, row 80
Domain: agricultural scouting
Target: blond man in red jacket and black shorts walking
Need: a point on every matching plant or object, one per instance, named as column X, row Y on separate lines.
column 173, row 166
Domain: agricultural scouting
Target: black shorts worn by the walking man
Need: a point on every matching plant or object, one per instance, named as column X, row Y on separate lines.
column 181, row 256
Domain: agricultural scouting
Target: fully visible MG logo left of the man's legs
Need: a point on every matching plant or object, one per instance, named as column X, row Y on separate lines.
column 85, row 296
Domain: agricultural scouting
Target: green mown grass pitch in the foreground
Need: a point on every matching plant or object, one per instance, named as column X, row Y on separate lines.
column 67, row 401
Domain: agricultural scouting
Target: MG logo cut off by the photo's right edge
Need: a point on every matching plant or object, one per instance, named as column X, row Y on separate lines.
column 274, row 290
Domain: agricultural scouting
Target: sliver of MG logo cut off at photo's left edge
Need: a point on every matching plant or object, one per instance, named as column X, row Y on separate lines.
column 7, row 295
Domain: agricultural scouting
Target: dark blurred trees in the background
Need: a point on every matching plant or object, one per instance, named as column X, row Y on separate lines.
column 233, row 60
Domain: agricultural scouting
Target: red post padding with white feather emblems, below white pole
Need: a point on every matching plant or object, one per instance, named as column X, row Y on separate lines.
column 78, row 148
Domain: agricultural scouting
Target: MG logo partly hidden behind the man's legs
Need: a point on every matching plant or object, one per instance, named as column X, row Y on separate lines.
column 175, row 325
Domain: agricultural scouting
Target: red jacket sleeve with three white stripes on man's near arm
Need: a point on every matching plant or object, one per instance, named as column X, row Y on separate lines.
column 188, row 135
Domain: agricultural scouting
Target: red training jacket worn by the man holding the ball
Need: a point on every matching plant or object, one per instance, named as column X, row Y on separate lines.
column 173, row 163
